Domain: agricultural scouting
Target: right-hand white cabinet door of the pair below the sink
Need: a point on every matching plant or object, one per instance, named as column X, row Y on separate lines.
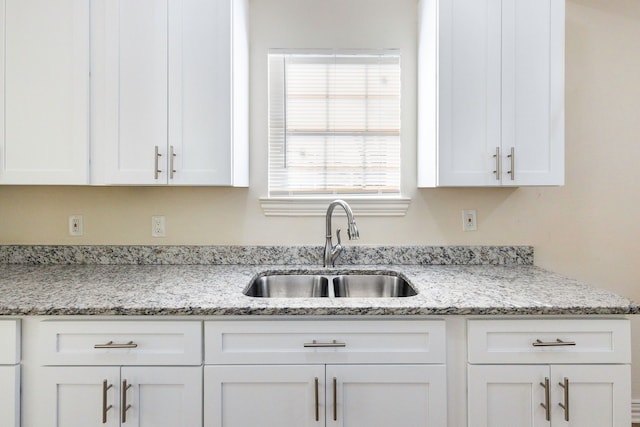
column 386, row 395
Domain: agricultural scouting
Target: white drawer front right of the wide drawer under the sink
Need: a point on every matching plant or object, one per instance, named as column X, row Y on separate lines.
column 549, row 341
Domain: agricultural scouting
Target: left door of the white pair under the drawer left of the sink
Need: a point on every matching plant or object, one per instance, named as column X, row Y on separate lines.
column 79, row 397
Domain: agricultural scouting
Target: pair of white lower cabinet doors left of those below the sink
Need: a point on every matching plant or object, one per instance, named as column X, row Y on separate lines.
column 114, row 396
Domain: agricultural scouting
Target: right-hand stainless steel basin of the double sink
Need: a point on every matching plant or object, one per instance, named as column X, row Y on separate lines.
column 372, row 286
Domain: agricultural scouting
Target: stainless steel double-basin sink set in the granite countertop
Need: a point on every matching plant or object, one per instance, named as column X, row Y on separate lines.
column 348, row 285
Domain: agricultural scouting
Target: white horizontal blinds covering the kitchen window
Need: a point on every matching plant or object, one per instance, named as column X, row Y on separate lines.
column 334, row 123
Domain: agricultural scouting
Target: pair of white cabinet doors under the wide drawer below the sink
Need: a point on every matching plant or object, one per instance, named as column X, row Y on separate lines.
column 325, row 395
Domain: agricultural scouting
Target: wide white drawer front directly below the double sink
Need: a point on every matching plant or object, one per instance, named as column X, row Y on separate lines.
column 327, row 341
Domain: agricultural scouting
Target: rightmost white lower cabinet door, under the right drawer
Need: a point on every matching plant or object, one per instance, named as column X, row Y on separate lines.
column 599, row 395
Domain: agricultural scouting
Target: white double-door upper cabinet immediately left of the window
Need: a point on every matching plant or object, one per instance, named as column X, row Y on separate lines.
column 170, row 92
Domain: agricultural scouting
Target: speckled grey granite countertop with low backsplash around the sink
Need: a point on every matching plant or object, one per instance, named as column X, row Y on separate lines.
column 507, row 285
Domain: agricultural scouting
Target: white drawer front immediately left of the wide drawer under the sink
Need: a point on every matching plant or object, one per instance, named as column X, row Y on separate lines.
column 121, row 342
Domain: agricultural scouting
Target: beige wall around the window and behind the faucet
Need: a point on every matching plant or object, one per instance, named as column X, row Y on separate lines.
column 588, row 229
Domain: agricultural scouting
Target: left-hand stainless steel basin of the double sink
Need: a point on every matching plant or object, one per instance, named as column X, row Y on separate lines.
column 288, row 286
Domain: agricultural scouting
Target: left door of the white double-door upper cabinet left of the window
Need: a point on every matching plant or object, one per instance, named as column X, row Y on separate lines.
column 129, row 44
